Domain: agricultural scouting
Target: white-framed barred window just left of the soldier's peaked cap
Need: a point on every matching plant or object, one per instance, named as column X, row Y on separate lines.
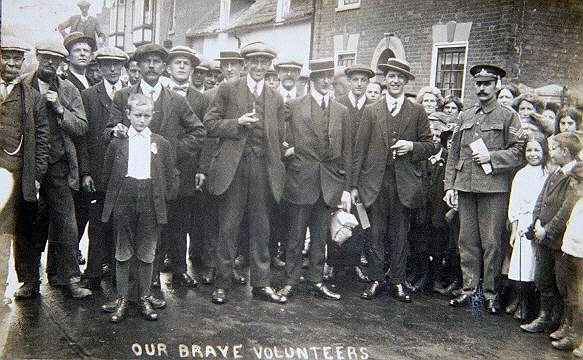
column 449, row 66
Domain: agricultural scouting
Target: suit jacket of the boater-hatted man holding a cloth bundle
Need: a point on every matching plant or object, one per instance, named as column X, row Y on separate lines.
column 309, row 172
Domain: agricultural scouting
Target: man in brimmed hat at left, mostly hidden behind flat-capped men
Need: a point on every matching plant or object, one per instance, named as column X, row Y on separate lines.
column 80, row 48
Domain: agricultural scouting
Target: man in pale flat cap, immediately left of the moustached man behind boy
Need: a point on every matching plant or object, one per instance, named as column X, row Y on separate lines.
column 97, row 102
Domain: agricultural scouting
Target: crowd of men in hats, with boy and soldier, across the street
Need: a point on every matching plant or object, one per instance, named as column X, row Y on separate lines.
column 246, row 158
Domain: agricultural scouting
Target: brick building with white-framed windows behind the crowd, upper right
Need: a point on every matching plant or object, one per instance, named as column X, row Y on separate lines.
column 537, row 42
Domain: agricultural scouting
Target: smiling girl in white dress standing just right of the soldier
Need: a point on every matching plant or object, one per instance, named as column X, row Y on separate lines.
column 526, row 186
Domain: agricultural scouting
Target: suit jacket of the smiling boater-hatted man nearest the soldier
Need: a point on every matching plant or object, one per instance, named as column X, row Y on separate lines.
column 372, row 150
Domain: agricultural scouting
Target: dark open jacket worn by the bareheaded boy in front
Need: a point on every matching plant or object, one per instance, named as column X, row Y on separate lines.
column 162, row 171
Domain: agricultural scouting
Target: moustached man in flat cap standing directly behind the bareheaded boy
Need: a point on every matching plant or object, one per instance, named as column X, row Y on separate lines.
column 173, row 119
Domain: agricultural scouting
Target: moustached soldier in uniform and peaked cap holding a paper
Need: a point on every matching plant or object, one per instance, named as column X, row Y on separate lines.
column 478, row 181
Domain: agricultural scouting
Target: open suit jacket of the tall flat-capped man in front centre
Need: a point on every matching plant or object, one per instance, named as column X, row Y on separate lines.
column 221, row 121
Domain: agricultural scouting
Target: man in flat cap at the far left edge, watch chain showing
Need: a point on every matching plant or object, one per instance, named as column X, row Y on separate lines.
column 23, row 159
